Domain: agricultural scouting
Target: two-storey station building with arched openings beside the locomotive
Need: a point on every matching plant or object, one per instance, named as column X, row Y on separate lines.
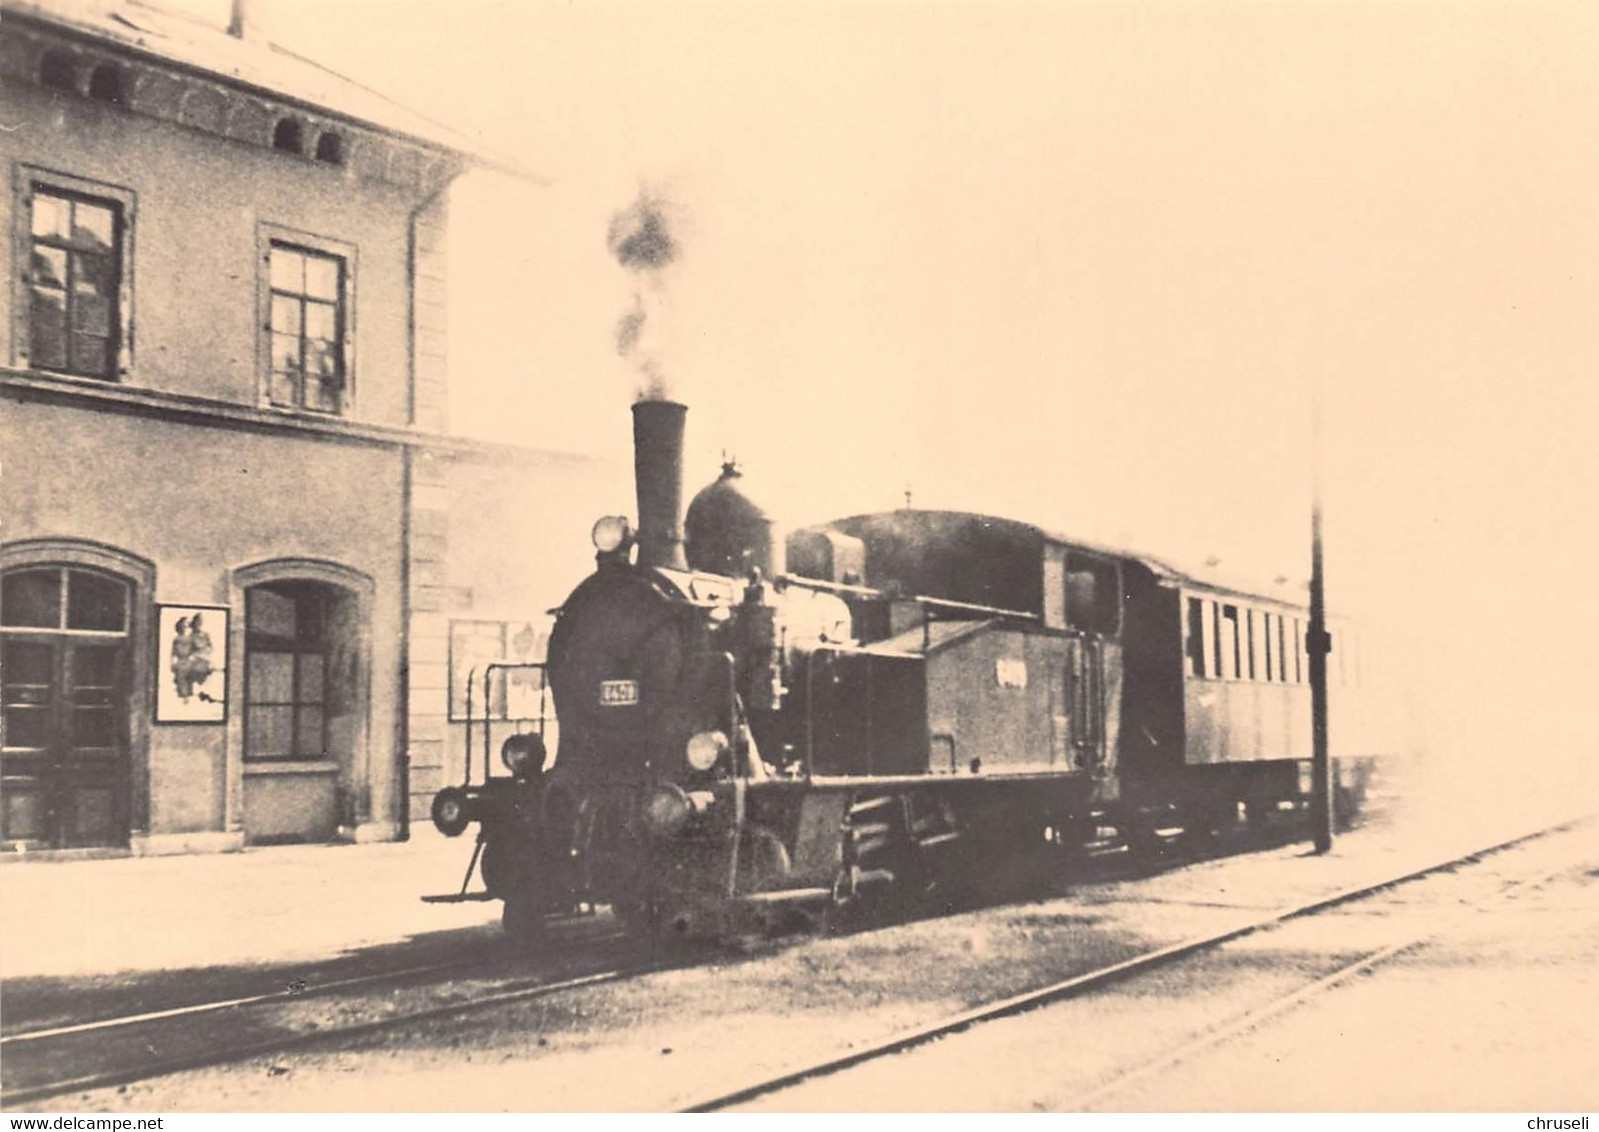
column 239, row 548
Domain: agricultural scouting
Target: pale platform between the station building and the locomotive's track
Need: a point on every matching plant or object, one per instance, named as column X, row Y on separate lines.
column 65, row 919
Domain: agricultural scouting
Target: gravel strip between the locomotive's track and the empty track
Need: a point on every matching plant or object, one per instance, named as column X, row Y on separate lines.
column 671, row 1038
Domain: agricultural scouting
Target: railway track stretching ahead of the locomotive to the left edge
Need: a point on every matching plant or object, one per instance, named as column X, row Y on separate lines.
column 158, row 1043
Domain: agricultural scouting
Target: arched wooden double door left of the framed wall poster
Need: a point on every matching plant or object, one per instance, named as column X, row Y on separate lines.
column 65, row 688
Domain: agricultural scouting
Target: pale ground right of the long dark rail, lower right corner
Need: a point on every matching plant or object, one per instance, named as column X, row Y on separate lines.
column 1499, row 1011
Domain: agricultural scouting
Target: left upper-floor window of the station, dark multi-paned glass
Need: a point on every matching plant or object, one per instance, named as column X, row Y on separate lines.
column 76, row 247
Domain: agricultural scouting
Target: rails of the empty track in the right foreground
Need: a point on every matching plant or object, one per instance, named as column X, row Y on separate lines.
column 1142, row 965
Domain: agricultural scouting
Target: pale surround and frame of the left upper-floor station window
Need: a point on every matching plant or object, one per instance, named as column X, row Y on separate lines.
column 26, row 181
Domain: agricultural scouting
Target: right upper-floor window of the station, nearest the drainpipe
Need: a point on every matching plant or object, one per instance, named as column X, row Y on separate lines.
column 309, row 293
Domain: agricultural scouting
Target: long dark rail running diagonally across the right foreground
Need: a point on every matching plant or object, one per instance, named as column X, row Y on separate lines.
column 1093, row 981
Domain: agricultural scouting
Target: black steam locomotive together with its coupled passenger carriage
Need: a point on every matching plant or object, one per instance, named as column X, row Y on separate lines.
column 877, row 709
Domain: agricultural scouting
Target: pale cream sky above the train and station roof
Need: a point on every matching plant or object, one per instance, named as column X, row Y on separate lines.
column 1088, row 265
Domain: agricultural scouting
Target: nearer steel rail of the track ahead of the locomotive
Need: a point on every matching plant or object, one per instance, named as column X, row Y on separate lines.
column 223, row 1056
